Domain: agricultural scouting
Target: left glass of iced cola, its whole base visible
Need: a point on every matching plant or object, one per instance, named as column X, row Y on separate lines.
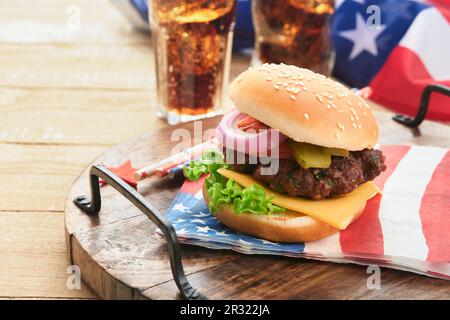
column 192, row 41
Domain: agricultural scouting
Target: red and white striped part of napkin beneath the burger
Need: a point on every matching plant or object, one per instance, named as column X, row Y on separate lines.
column 409, row 225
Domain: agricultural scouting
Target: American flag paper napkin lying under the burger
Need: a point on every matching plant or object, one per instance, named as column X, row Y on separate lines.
column 407, row 228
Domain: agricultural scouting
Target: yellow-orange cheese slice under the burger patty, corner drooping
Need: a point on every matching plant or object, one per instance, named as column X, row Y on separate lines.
column 338, row 212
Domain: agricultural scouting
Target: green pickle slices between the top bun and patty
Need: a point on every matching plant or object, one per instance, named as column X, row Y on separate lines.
column 312, row 156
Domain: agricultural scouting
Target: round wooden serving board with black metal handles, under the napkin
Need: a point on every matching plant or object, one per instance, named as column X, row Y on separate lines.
column 121, row 257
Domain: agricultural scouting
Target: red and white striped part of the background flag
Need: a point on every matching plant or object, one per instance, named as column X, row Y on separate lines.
column 421, row 58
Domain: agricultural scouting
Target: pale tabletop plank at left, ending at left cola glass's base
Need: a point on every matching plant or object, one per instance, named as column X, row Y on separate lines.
column 71, row 117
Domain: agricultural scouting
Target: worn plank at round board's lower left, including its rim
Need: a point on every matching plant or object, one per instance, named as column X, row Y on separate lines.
column 141, row 265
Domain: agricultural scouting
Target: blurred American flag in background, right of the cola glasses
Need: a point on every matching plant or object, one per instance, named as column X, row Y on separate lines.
column 407, row 51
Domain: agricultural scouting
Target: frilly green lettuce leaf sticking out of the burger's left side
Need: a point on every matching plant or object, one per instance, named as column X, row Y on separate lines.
column 226, row 191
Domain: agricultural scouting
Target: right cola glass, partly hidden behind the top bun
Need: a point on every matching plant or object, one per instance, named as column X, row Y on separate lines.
column 294, row 32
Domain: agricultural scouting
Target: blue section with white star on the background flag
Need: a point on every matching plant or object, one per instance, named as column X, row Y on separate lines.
column 365, row 32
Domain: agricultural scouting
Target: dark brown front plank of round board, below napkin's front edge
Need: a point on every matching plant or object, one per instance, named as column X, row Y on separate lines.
column 257, row 277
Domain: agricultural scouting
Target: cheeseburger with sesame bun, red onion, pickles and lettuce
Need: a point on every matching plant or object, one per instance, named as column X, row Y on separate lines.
column 296, row 156
